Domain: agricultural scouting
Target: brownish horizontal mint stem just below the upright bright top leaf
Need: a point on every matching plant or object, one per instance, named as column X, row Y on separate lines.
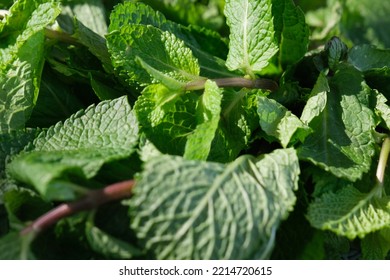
column 260, row 83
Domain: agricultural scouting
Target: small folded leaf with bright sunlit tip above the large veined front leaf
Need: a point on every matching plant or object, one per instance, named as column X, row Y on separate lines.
column 279, row 122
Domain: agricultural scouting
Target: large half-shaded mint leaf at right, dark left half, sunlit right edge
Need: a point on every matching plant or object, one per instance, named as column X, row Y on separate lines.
column 342, row 141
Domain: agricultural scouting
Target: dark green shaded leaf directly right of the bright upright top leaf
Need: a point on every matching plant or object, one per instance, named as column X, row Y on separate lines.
column 291, row 31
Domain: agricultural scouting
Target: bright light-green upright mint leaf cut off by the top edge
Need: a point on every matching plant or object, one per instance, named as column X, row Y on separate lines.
column 252, row 43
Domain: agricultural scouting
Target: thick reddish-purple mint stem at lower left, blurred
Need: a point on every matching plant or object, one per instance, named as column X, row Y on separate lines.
column 92, row 200
